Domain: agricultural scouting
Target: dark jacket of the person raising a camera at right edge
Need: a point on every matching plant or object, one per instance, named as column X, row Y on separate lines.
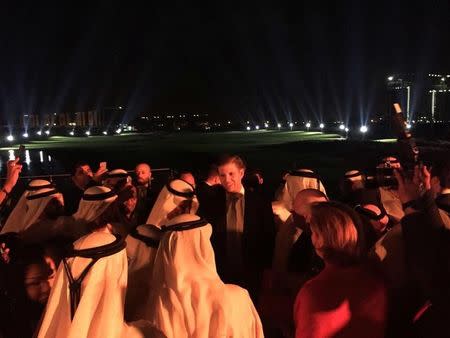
column 427, row 248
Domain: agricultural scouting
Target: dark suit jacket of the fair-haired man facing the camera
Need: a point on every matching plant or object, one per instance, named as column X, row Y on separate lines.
column 259, row 229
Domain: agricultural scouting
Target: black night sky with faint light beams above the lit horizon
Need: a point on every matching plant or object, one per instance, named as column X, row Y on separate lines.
column 309, row 59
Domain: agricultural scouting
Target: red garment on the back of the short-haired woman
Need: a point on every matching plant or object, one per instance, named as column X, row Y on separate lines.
column 341, row 302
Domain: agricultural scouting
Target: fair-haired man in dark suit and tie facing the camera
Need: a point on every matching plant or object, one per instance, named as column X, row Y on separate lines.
column 243, row 227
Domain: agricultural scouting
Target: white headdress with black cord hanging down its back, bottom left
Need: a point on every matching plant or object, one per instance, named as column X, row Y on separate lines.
column 99, row 312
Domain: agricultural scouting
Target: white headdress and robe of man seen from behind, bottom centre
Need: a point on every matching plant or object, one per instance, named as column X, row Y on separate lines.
column 189, row 298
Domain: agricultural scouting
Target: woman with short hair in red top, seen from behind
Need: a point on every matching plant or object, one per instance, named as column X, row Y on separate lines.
column 346, row 299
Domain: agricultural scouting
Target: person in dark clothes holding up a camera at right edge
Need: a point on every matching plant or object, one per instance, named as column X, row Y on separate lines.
column 426, row 235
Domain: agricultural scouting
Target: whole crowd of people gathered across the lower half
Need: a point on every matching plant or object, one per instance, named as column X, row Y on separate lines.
column 109, row 255
